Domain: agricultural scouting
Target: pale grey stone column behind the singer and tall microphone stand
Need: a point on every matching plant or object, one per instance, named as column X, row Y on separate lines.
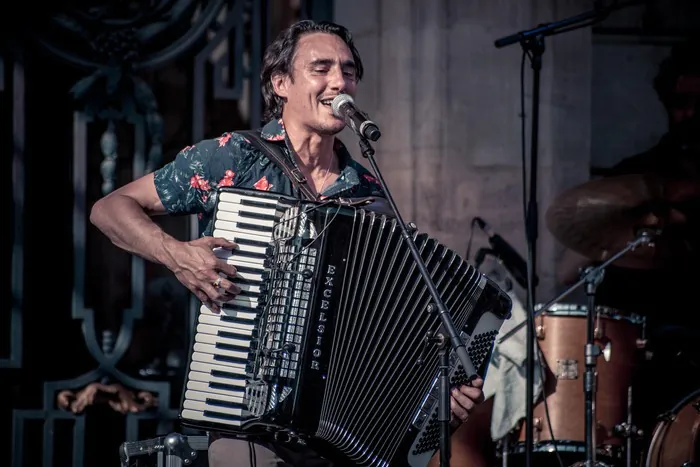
column 448, row 104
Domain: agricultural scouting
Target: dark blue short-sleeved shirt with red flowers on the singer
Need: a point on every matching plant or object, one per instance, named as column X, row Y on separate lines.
column 188, row 184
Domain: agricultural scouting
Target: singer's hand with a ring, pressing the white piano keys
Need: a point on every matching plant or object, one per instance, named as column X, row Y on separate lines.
column 197, row 267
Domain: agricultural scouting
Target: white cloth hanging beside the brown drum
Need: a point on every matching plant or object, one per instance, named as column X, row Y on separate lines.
column 506, row 378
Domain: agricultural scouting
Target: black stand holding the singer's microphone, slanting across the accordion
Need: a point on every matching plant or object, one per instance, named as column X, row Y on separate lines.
column 444, row 341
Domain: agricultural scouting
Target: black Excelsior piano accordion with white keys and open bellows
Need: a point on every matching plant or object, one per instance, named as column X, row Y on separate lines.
column 326, row 343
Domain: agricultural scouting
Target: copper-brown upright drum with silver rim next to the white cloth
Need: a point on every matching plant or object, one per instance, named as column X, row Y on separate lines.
column 559, row 430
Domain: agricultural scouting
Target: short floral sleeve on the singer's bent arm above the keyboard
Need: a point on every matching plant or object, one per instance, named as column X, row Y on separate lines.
column 187, row 184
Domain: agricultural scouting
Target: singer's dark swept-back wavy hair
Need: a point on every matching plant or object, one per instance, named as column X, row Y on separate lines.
column 279, row 57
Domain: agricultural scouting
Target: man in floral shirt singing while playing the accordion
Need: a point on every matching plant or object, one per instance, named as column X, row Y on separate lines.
column 303, row 70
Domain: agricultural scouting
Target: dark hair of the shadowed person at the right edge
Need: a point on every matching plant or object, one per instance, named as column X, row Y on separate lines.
column 684, row 59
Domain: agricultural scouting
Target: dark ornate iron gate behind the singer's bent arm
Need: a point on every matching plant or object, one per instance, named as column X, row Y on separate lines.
column 116, row 51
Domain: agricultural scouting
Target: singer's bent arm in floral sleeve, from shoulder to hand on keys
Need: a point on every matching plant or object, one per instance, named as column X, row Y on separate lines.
column 125, row 217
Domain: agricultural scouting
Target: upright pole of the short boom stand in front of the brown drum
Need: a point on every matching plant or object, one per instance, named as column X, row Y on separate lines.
column 592, row 351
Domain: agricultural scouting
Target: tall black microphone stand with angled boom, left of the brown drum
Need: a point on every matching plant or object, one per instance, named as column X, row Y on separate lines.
column 532, row 42
